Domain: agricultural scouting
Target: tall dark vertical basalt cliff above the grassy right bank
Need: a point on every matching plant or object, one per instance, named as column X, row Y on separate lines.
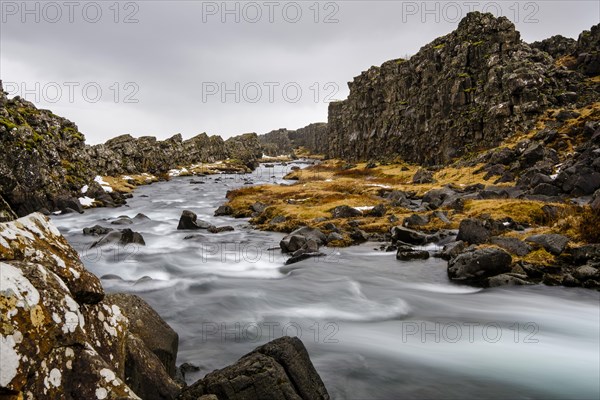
column 464, row 91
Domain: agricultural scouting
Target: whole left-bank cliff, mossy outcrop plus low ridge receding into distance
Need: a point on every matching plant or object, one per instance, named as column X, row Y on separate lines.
column 45, row 162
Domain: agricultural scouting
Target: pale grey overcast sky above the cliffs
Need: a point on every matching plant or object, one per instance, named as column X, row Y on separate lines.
column 165, row 67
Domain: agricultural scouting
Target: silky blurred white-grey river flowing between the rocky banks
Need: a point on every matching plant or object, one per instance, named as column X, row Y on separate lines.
column 375, row 327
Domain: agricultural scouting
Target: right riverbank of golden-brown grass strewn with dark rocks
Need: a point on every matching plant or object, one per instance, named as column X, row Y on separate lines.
column 534, row 202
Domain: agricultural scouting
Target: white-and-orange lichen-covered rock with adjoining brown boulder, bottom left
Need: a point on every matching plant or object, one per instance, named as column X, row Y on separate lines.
column 61, row 337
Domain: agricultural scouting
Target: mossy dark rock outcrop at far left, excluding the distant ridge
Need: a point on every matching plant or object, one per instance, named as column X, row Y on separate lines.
column 43, row 161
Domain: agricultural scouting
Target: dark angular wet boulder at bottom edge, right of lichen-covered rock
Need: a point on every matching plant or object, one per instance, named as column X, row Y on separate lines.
column 278, row 370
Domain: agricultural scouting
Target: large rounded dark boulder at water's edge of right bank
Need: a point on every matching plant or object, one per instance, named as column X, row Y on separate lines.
column 476, row 265
